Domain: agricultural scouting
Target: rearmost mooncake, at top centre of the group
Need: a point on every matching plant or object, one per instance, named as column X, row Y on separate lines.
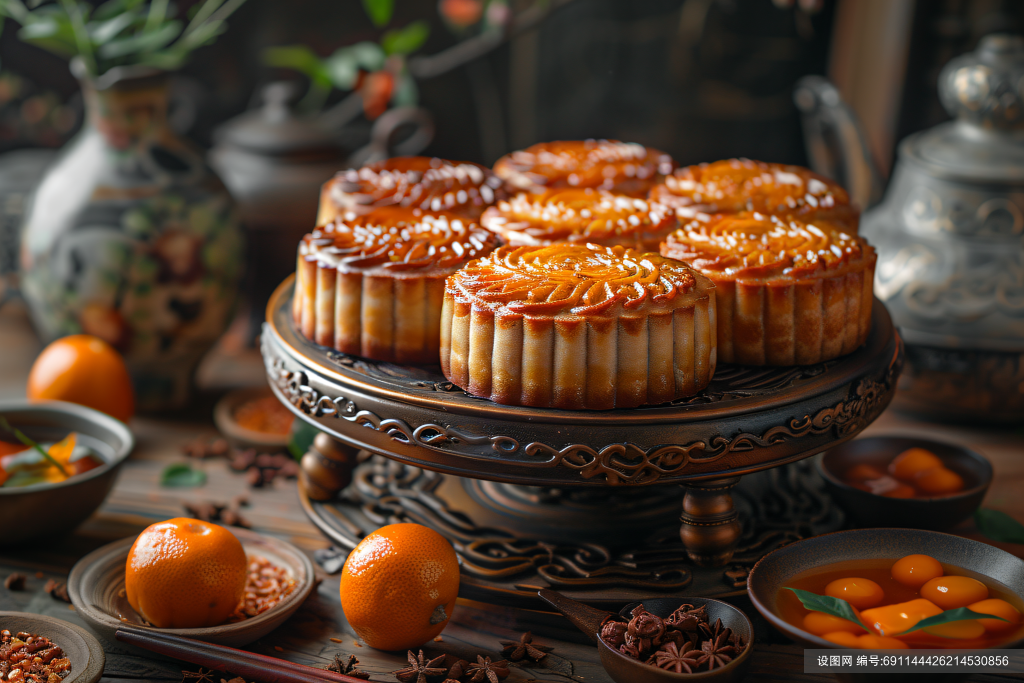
column 626, row 168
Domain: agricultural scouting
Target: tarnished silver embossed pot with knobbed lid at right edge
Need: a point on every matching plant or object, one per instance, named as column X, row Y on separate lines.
column 951, row 243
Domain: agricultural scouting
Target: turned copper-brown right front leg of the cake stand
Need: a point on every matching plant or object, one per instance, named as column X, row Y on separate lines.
column 710, row 524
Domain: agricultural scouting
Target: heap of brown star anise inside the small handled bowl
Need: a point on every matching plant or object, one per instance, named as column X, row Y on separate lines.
column 684, row 643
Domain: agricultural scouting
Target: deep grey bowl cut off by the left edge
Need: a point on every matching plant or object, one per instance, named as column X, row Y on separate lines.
column 58, row 508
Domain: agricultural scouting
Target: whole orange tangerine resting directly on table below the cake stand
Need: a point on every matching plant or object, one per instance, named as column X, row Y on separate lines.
column 399, row 586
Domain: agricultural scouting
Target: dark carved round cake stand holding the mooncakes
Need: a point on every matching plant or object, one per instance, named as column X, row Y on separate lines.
column 581, row 501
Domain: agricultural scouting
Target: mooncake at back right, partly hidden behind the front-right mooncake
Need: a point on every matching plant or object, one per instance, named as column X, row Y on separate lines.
column 741, row 185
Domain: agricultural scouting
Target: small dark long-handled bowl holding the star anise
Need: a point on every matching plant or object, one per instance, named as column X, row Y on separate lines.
column 627, row 670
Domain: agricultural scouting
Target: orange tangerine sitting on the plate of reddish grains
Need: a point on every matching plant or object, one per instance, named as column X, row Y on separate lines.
column 186, row 574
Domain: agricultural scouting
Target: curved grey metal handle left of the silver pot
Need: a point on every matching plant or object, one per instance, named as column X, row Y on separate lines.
column 836, row 143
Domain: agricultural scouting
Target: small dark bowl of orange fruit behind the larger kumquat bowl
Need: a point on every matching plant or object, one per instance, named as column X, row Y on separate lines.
column 938, row 514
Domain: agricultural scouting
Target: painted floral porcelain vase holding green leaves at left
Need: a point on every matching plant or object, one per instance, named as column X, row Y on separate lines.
column 132, row 238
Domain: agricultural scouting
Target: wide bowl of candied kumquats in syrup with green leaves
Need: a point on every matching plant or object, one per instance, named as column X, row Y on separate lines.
column 892, row 589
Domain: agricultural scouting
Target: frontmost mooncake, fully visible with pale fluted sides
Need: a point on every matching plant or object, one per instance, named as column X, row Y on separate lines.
column 578, row 327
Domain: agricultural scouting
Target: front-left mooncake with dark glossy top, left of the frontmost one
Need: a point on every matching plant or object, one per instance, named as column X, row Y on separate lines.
column 373, row 285
